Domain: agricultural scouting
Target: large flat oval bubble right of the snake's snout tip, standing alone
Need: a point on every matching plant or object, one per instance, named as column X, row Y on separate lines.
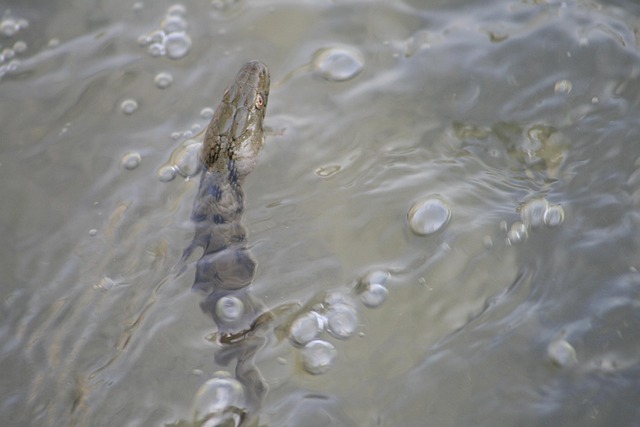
column 337, row 63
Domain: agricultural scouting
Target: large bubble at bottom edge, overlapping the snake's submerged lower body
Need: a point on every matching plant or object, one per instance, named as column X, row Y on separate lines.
column 215, row 397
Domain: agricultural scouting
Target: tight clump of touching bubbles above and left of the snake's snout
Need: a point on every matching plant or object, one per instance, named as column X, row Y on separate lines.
column 171, row 39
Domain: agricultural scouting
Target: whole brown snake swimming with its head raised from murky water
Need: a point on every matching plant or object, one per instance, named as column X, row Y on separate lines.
column 232, row 144
